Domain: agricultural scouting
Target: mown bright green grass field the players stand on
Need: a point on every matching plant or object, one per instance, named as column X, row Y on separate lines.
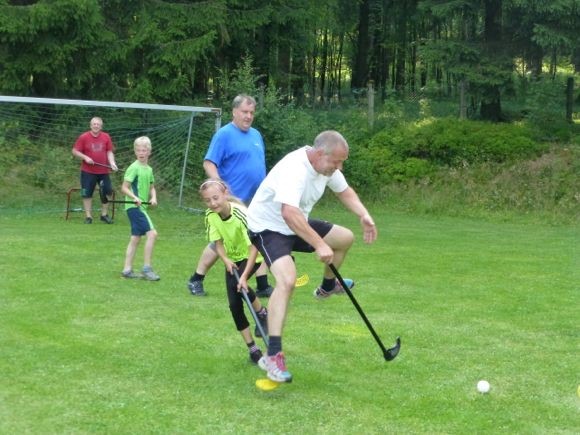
column 83, row 351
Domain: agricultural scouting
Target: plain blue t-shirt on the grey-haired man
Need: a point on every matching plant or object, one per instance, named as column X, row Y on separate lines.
column 240, row 159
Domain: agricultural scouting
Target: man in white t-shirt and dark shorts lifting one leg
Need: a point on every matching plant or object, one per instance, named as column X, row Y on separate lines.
column 279, row 223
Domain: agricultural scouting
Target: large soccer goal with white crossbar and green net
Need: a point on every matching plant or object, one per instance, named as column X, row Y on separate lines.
column 179, row 134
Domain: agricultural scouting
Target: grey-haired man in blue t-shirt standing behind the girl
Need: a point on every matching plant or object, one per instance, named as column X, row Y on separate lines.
column 237, row 156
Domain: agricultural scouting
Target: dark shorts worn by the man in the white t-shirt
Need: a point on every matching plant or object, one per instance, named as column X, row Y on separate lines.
column 273, row 245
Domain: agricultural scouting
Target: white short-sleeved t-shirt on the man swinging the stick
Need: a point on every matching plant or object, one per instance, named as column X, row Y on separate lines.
column 292, row 181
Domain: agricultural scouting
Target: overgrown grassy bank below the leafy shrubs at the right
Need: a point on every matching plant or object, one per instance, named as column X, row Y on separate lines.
column 546, row 186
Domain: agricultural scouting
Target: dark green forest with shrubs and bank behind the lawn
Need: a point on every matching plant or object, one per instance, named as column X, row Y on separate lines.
column 393, row 76
